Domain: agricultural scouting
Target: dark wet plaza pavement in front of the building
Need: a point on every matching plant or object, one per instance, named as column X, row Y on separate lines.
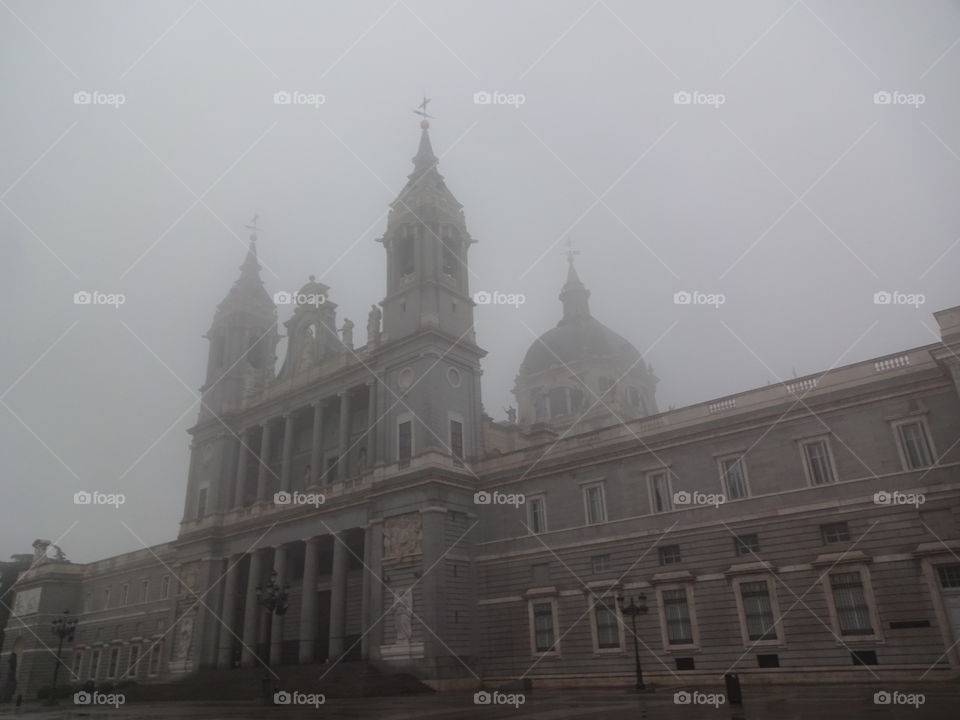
column 780, row 703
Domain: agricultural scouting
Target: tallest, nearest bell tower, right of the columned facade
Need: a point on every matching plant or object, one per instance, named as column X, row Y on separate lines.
column 428, row 343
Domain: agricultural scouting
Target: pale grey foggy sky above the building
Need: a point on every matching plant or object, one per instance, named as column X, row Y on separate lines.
column 691, row 197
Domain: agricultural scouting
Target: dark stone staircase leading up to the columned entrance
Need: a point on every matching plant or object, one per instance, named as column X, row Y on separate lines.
column 342, row 680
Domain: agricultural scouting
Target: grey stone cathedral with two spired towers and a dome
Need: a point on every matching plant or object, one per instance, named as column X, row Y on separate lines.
column 354, row 503
